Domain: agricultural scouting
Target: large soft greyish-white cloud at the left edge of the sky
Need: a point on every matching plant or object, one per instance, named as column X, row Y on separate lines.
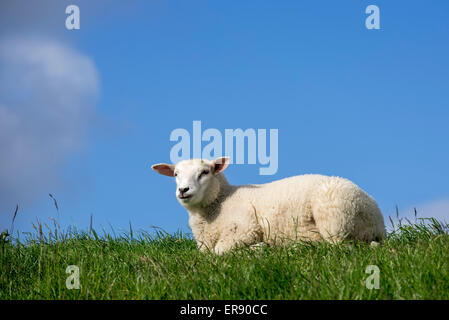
column 47, row 100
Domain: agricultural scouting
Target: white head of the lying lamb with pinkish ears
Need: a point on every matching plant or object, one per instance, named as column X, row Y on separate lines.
column 198, row 181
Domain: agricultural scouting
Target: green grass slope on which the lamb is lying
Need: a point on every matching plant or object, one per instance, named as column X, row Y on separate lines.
column 413, row 264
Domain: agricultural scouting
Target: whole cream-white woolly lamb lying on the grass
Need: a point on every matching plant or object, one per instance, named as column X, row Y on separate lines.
column 307, row 207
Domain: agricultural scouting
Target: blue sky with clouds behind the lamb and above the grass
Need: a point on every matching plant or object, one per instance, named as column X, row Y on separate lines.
column 85, row 113
